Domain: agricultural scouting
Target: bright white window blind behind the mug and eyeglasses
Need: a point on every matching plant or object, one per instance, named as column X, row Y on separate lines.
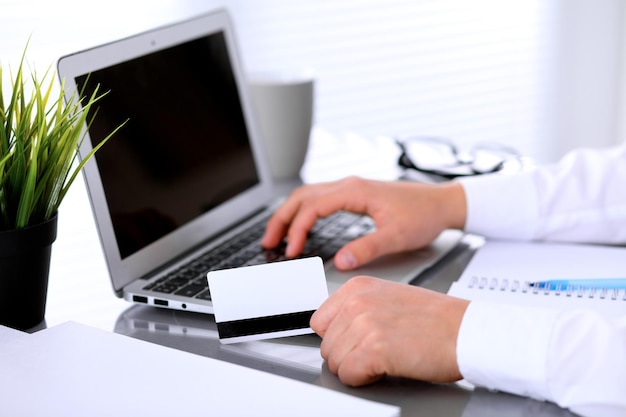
column 471, row 71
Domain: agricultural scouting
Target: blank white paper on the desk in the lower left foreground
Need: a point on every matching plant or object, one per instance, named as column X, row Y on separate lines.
column 75, row 370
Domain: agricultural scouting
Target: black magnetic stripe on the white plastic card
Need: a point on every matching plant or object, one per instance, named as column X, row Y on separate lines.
column 268, row 324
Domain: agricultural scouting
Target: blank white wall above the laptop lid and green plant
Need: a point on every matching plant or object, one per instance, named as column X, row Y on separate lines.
column 58, row 27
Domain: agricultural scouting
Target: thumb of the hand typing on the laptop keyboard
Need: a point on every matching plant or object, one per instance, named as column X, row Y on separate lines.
column 363, row 250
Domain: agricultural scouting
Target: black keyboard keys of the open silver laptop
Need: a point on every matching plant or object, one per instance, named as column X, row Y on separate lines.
column 325, row 239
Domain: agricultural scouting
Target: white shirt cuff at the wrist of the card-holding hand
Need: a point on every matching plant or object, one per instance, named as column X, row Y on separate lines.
column 505, row 347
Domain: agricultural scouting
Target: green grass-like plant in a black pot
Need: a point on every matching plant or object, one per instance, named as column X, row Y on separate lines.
column 39, row 138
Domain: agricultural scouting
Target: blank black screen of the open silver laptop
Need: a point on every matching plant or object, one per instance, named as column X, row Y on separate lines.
column 185, row 148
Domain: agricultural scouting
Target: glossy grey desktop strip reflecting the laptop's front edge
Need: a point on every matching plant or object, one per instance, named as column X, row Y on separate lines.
column 298, row 358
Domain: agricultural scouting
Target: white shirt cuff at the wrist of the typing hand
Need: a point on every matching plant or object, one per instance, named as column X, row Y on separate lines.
column 489, row 196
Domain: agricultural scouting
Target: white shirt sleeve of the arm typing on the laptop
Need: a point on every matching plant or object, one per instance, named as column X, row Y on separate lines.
column 580, row 199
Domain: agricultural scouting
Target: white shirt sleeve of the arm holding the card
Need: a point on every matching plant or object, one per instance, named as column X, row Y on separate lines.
column 576, row 359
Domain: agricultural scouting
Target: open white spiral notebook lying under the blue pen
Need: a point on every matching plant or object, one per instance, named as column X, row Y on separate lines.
column 504, row 272
